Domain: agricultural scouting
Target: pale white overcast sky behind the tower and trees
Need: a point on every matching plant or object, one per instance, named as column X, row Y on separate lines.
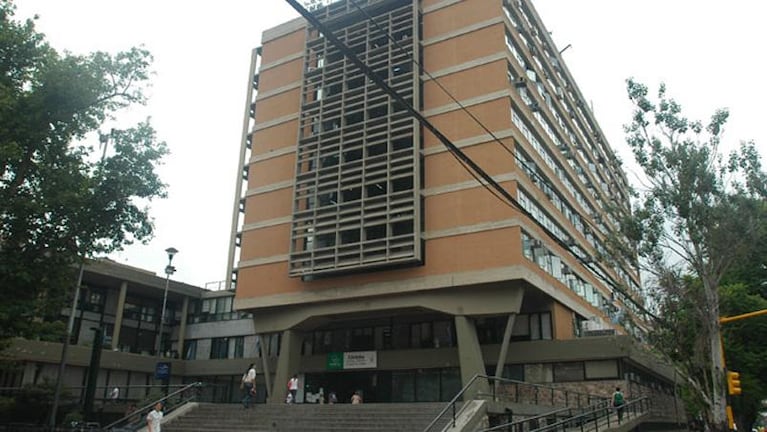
column 709, row 53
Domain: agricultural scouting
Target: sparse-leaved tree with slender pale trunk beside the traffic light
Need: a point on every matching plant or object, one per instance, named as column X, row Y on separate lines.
column 695, row 215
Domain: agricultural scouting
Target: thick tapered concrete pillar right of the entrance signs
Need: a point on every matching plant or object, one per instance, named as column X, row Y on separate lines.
column 470, row 356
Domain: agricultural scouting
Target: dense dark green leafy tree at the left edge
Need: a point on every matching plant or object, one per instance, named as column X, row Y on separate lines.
column 59, row 200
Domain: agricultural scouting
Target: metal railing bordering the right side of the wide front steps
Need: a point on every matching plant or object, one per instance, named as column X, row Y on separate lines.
column 517, row 392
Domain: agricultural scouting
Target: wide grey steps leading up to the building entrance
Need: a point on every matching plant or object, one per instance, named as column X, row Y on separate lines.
column 394, row 417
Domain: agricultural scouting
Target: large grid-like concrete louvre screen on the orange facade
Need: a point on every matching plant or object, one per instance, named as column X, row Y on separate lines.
column 357, row 198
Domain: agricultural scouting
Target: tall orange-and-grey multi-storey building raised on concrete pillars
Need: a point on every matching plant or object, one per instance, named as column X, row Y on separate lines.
column 379, row 261
